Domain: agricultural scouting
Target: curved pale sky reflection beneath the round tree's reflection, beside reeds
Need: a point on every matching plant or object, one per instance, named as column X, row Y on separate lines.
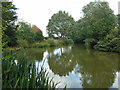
column 72, row 80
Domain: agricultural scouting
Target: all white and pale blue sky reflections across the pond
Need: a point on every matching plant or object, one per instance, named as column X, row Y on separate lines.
column 72, row 80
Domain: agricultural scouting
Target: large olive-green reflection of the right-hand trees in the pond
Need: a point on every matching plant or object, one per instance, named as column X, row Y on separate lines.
column 98, row 69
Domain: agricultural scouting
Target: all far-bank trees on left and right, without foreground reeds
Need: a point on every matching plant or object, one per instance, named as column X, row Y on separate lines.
column 98, row 28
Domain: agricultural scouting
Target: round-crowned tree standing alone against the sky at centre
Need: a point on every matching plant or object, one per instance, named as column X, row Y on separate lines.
column 60, row 24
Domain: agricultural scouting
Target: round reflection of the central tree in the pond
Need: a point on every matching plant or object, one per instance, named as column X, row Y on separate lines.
column 61, row 61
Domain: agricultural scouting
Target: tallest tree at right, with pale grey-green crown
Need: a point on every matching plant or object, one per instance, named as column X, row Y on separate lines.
column 100, row 19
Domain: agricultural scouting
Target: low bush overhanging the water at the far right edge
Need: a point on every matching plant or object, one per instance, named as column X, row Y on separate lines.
column 110, row 43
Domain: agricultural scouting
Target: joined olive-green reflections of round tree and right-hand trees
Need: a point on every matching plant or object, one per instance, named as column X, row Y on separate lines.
column 98, row 69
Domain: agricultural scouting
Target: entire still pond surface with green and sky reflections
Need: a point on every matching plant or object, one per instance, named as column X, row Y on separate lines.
column 78, row 67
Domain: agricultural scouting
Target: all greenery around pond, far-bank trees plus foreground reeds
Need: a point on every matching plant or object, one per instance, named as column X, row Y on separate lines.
column 98, row 28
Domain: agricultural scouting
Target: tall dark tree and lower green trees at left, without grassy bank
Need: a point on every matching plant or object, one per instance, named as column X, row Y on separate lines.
column 22, row 33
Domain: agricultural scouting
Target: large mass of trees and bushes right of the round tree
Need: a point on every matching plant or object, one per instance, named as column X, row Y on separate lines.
column 98, row 26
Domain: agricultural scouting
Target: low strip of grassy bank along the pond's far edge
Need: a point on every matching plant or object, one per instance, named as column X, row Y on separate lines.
column 44, row 43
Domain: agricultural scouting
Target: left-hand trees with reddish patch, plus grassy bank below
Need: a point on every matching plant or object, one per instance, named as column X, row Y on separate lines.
column 23, row 34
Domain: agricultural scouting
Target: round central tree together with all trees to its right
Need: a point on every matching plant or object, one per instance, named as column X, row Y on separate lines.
column 98, row 28
